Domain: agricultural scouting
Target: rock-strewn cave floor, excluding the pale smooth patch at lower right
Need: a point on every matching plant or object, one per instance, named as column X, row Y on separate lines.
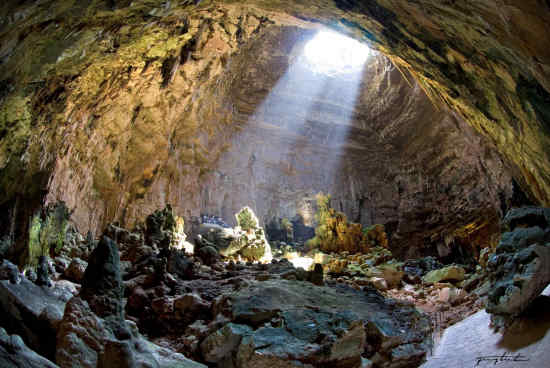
column 131, row 299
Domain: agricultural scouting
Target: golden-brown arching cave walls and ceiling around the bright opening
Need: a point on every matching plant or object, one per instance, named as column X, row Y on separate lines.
column 85, row 85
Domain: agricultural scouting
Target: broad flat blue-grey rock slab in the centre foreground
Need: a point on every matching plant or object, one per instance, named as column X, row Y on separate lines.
column 323, row 326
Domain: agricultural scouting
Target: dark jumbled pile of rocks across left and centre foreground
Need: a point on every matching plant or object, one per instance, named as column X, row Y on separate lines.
column 202, row 306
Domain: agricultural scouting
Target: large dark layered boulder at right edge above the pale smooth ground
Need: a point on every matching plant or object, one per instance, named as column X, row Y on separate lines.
column 520, row 268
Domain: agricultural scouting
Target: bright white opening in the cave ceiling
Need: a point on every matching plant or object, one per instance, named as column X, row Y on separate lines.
column 330, row 52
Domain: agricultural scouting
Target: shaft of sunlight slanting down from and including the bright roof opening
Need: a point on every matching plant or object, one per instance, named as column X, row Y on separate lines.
column 310, row 109
